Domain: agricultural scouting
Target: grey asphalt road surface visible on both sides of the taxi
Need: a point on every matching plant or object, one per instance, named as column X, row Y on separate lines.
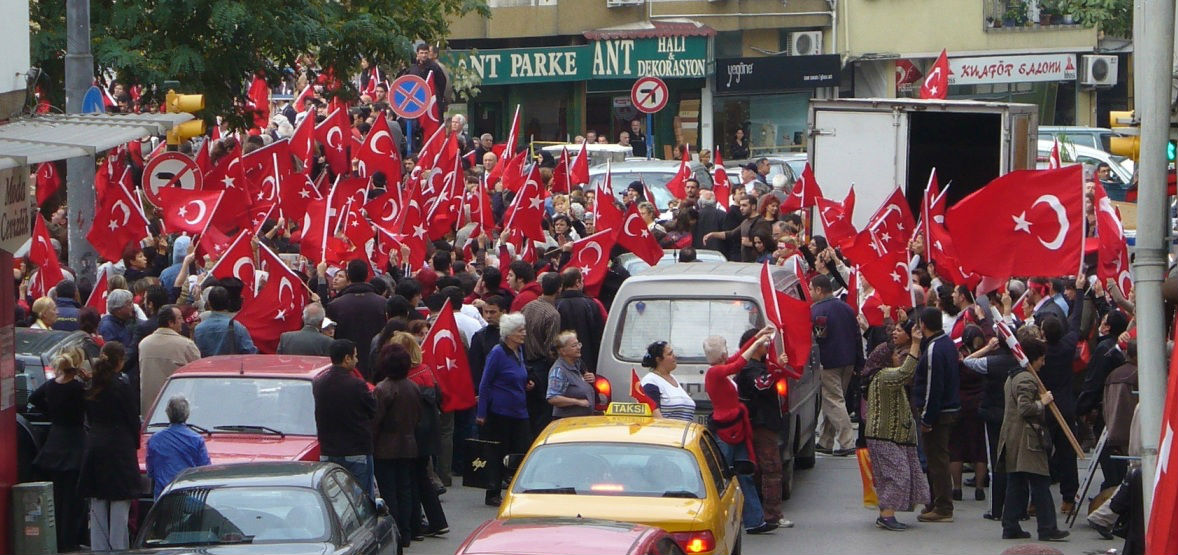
column 830, row 518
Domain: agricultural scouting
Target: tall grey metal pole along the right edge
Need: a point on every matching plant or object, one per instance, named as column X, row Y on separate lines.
column 1154, row 38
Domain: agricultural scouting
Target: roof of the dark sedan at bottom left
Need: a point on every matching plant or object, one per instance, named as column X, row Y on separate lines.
column 263, row 474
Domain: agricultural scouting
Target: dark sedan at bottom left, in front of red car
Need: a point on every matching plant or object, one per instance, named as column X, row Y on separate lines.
column 276, row 507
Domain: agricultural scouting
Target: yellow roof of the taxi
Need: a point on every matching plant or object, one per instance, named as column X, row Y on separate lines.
column 623, row 430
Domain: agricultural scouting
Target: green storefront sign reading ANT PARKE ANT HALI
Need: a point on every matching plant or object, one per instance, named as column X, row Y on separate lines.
column 671, row 57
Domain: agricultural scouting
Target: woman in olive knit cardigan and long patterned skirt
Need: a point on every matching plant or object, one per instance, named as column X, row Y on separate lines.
column 891, row 434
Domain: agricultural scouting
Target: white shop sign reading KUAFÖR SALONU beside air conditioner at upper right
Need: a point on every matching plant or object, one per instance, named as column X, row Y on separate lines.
column 1012, row 69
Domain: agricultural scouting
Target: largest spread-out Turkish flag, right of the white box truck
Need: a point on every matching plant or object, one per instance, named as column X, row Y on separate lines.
column 1025, row 223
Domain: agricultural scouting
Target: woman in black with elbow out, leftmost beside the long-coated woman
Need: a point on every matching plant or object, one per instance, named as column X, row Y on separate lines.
column 63, row 400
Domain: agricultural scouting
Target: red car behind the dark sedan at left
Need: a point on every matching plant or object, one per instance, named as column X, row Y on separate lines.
column 250, row 408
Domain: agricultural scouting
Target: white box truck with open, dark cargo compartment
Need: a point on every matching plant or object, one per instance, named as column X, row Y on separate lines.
column 878, row 144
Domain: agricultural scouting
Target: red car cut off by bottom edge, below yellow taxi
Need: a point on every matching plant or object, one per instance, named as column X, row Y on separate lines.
column 567, row 537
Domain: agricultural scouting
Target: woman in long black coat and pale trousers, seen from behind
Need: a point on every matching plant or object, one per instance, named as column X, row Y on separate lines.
column 110, row 470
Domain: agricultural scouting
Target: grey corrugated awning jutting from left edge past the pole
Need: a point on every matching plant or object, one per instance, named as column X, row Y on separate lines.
column 35, row 140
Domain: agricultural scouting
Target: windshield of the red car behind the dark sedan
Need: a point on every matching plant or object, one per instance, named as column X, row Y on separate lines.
column 284, row 406
